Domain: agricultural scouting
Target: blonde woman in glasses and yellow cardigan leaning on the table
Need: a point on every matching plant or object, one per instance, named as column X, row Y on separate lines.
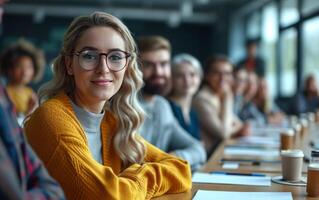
column 85, row 128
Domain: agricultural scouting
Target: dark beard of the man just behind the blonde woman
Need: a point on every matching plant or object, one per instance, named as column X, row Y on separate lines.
column 153, row 89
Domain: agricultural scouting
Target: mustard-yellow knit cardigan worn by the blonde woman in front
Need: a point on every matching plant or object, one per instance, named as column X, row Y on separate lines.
column 59, row 139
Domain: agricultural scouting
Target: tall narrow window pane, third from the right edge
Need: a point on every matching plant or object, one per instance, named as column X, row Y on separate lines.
column 269, row 38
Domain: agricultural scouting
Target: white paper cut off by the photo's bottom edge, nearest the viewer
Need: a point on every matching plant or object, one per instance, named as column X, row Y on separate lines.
column 225, row 195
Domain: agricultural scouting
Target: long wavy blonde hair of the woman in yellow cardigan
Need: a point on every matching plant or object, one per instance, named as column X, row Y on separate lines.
column 124, row 104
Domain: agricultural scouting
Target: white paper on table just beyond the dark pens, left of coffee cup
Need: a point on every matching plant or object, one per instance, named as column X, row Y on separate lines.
column 251, row 151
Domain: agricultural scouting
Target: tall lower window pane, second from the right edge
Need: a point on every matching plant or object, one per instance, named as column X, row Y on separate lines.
column 288, row 62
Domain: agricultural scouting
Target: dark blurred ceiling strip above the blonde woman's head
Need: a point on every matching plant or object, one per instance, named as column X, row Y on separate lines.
column 172, row 11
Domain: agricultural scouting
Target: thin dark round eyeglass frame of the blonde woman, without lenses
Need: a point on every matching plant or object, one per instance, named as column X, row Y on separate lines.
column 127, row 55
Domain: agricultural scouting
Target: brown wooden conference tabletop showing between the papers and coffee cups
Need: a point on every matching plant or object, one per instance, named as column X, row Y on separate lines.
column 270, row 169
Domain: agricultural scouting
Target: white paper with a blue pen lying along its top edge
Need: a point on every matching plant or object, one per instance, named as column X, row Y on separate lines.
column 231, row 179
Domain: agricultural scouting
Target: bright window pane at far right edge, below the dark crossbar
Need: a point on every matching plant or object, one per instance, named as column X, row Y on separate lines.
column 310, row 47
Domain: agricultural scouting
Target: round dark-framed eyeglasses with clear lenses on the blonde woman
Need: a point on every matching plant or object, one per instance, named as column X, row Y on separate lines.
column 116, row 60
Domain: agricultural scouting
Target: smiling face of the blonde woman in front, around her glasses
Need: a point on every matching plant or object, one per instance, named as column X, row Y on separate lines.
column 100, row 84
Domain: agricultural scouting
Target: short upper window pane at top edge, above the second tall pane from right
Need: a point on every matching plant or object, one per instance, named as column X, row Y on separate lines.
column 289, row 14
